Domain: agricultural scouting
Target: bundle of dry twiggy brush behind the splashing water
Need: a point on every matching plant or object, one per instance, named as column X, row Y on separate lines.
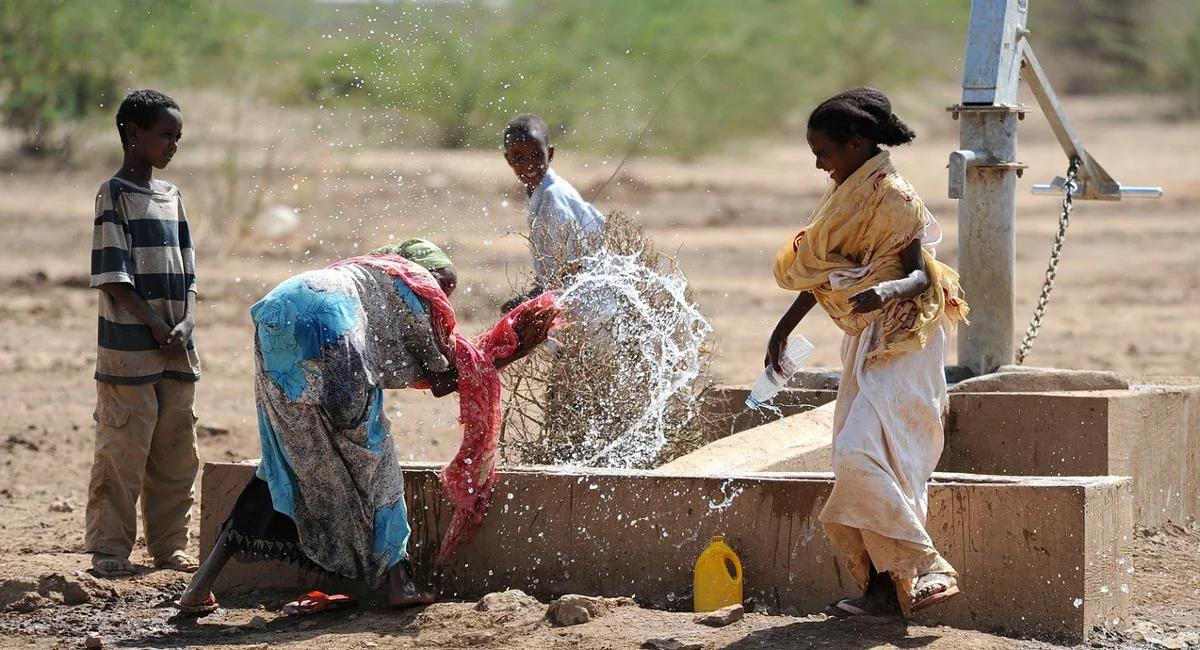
column 587, row 402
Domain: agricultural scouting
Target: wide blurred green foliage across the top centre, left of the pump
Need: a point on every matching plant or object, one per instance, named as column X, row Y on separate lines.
column 597, row 70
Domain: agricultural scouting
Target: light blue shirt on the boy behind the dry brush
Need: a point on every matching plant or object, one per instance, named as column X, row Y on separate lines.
column 563, row 227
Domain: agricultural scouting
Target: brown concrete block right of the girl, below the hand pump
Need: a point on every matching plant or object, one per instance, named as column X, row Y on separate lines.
column 1150, row 434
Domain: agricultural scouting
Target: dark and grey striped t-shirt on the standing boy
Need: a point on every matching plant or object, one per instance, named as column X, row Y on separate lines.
column 141, row 239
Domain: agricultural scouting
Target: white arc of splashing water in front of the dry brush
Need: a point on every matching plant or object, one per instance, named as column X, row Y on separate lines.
column 643, row 317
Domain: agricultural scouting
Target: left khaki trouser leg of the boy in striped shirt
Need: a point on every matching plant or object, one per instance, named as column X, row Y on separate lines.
column 125, row 422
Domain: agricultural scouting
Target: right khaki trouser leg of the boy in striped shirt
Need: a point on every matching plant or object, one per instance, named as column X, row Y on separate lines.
column 167, row 491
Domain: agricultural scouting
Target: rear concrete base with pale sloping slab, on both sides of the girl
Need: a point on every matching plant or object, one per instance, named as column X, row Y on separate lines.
column 1149, row 432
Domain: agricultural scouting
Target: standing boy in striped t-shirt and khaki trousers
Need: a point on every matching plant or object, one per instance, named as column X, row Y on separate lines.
column 147, row 368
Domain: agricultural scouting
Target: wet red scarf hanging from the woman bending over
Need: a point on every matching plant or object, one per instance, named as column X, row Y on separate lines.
column 470, row 479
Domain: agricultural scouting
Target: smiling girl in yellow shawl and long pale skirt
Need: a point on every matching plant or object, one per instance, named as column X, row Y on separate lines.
column 867, row 258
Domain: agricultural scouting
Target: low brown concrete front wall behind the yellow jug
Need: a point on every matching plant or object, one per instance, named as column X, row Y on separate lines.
column 1039, row 557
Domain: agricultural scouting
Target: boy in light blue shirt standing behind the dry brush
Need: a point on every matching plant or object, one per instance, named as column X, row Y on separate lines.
column 563, row 227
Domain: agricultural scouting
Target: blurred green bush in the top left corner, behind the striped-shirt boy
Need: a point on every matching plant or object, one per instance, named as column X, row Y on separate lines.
column 65, row 61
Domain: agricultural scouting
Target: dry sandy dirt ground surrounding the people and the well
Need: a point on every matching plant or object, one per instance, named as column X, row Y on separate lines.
column 1129, row 299
